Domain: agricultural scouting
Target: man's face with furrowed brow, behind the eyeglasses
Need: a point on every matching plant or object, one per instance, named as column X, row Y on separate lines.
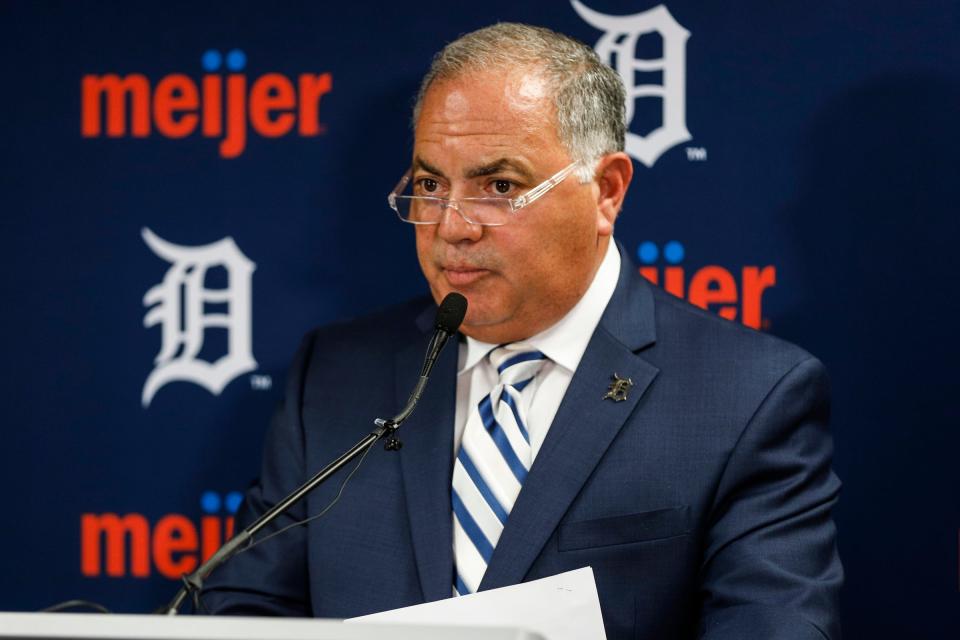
column 493, row 133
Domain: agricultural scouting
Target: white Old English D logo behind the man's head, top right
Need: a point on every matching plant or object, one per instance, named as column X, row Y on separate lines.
column 618, row 47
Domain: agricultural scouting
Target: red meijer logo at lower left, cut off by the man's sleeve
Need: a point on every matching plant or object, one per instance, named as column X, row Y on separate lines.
column 128, row 545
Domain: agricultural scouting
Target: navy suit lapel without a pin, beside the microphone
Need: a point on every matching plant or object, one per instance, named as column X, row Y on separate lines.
column 427, row 463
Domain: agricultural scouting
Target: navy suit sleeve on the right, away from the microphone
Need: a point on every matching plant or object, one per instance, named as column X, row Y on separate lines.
column 770, row 566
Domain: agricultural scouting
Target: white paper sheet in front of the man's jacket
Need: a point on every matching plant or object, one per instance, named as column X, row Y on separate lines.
column 561, row 607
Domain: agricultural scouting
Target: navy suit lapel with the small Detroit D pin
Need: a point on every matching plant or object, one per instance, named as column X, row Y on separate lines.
column 583, row 429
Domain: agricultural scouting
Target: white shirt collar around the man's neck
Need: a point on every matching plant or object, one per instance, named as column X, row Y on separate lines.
column 565, row 341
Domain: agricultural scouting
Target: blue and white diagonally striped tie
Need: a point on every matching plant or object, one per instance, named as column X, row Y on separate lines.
column 492, row 464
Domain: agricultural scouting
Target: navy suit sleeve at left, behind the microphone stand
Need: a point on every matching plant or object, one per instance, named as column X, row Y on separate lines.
column 271, row 578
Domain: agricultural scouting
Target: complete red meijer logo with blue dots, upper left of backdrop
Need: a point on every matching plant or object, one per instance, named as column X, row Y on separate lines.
column 218, row 105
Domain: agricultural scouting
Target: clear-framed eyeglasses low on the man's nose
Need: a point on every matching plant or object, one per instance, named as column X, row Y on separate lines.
column 484, row 211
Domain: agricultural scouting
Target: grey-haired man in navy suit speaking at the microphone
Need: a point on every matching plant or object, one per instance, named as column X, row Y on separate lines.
column 585, row 419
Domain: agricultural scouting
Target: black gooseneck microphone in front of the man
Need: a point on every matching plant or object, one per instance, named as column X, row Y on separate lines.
column 449, row 316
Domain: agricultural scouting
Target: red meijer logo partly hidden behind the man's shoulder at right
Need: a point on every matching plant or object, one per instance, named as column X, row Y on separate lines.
column 710, row 287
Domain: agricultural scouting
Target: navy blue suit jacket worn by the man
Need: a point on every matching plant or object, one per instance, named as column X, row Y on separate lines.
column 702, row 502
